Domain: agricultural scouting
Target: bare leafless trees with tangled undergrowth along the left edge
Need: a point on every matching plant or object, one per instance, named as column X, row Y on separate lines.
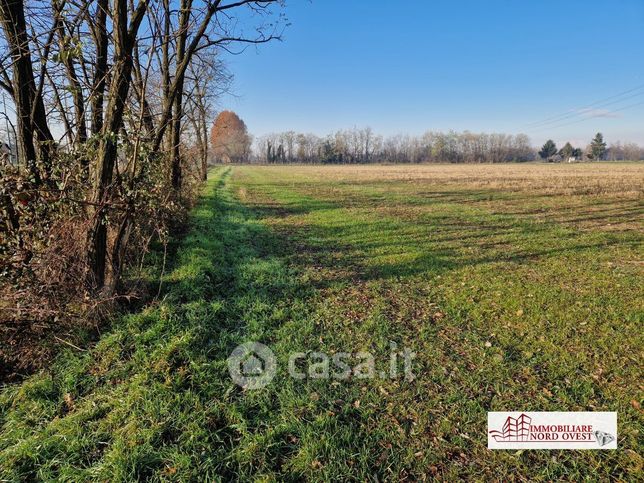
column 108, row 110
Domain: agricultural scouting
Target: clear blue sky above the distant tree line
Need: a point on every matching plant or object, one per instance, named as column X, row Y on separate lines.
column 487, row 65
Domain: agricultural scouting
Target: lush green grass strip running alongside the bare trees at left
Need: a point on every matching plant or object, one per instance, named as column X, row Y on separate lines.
column 154, row 398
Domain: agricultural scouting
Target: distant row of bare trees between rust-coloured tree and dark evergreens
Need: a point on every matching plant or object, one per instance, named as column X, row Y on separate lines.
column 354, row 146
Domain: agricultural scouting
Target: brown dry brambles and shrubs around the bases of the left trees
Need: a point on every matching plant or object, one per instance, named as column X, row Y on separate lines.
column 44, row 300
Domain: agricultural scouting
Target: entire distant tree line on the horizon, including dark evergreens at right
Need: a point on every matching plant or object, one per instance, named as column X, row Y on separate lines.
column 364, row 146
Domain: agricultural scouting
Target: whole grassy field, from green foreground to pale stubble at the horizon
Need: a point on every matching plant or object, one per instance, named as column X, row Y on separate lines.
column 519, row 287
